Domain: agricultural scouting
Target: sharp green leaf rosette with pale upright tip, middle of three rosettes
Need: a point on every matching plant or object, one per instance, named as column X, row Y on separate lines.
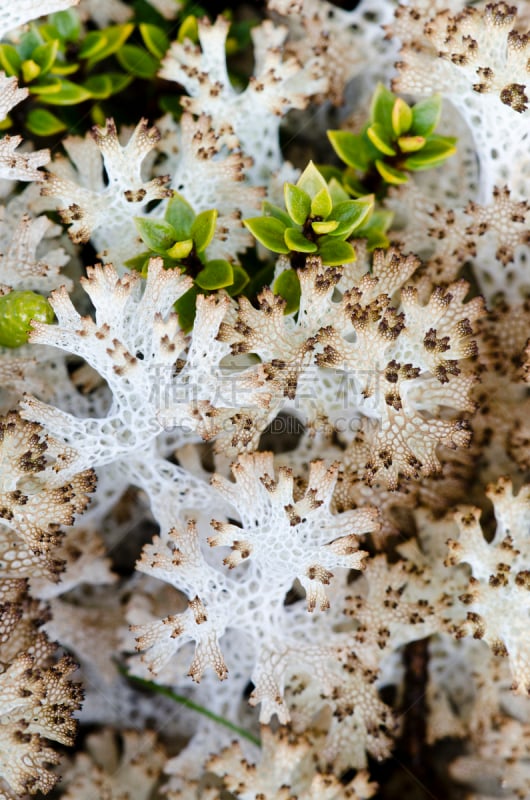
column 318, row 219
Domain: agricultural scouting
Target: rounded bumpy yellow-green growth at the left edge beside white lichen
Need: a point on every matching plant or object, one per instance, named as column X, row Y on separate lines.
column 17, row 309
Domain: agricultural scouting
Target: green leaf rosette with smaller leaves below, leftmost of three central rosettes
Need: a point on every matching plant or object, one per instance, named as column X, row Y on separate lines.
column 181, row 240
